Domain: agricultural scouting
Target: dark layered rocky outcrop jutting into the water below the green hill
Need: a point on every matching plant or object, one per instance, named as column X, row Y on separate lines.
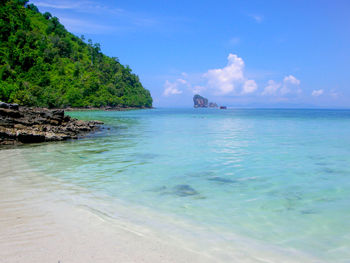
column 28, row 125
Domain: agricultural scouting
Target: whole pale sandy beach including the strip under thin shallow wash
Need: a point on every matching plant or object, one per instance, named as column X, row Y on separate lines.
column 37, row 224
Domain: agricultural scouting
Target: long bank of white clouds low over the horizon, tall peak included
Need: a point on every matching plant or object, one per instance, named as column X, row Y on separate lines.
column 231, row 80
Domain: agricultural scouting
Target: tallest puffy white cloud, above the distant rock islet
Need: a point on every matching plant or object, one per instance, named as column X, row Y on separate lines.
column 228, row 79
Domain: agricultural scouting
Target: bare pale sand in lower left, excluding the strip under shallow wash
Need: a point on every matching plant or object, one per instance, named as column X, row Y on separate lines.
column 34, row 227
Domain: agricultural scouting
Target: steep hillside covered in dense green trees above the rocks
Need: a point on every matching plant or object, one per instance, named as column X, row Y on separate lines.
column 42, row 64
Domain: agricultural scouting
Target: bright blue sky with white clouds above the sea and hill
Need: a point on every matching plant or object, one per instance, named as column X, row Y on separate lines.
column 272, row 53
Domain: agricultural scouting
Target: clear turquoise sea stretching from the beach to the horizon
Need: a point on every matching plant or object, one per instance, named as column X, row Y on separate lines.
column 281, row 177
